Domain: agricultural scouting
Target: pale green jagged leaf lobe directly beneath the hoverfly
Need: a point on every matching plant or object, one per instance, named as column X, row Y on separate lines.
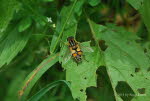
column 82, row 75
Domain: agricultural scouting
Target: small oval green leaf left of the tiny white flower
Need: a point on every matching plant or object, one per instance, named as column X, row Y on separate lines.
column 24, row 24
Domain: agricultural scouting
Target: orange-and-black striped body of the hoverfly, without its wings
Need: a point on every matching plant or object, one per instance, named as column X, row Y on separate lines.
column 75, row 49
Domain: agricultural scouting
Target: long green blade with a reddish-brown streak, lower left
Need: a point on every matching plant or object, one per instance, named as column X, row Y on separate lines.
column 32, row 78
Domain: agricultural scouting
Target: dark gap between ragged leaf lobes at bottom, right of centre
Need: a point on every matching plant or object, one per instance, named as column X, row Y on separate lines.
column 103, row 91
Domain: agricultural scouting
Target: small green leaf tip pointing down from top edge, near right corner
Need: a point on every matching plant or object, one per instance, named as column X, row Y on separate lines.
column 136, row 3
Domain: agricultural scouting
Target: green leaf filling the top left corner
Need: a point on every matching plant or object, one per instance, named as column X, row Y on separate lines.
column 7, row 9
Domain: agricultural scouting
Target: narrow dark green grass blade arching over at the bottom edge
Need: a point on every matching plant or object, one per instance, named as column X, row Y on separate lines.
column 44, row 90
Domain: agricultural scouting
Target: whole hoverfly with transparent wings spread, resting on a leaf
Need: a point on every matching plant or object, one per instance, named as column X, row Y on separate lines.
column 75, row 50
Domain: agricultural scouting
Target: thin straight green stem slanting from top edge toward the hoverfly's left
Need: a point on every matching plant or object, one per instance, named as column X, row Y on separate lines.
column 55, row 45
